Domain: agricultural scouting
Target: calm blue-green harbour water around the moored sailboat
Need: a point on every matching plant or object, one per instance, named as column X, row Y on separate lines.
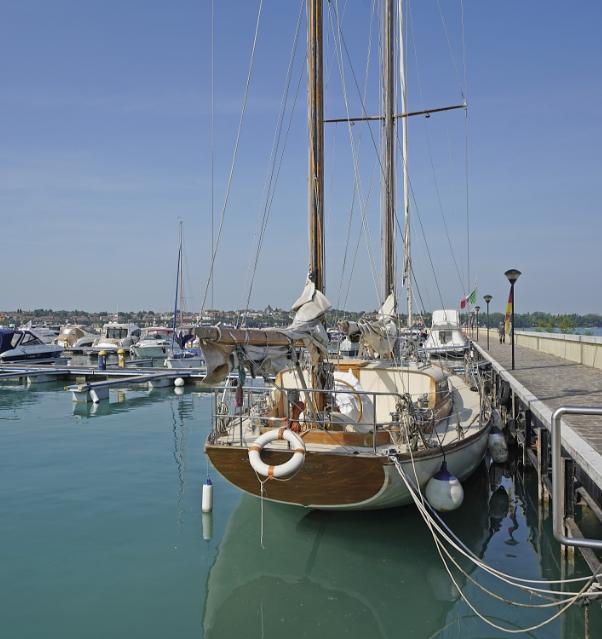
column 101, row 535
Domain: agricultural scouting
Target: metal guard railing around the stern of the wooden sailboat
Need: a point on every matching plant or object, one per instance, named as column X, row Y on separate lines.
column 250, row 392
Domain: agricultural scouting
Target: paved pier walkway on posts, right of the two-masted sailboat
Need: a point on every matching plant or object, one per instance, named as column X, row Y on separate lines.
column 529, row 396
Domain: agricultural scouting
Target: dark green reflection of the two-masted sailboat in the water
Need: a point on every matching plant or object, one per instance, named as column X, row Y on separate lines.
column 337, row 574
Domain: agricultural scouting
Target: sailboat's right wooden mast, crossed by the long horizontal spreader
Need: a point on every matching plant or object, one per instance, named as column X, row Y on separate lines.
column 388, row 151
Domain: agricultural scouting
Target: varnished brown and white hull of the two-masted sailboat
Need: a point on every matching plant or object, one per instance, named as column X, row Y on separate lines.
column 336, row 481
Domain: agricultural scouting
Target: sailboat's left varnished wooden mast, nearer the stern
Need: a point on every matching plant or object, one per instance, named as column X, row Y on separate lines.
column 315, row 114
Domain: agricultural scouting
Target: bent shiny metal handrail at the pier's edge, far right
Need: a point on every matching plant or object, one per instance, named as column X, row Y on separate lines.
column 557, row 494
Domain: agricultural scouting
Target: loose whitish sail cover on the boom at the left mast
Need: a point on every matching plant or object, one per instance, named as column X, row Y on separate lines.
column 269, row 359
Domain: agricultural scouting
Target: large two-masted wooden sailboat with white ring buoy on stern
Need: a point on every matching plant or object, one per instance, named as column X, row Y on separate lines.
column 333, row 434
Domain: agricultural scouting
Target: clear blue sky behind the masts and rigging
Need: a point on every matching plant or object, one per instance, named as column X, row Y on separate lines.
column 104, row 131
